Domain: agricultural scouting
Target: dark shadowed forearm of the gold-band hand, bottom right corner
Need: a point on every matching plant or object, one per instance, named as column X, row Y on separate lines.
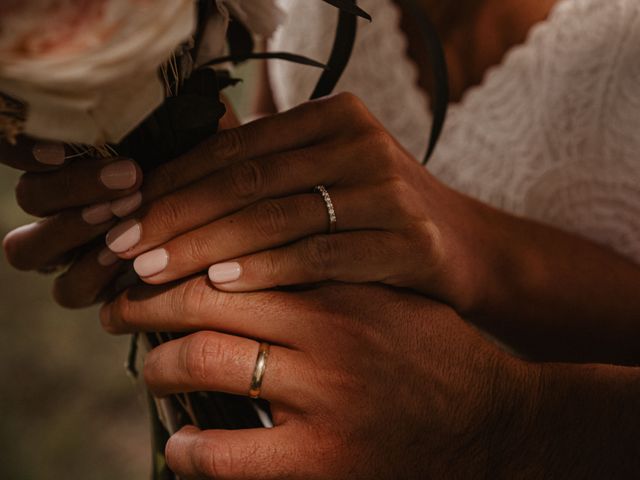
column 585, row 424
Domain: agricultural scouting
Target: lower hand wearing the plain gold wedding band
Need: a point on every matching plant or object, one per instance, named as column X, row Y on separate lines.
column 364, row 381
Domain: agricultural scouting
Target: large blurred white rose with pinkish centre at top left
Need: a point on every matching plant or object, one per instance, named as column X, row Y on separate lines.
column 87, row 69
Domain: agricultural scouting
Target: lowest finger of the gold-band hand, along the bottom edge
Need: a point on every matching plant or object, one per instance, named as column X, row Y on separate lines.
column 252, row 454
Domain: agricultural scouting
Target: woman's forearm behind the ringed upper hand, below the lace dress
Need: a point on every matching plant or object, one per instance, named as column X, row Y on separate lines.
column 556, row 296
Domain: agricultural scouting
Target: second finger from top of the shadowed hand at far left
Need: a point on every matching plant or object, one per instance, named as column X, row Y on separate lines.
column 82, row 183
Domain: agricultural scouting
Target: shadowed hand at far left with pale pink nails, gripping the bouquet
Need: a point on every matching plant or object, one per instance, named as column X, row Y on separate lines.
column 78, row 201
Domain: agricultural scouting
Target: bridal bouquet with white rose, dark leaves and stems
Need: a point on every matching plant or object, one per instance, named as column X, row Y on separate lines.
column 142, row 78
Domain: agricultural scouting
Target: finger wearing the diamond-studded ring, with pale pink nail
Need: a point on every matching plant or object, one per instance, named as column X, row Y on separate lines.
column 264, row 225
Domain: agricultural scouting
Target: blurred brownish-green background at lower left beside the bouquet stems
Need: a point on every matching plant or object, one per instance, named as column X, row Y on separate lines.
column 68, row 410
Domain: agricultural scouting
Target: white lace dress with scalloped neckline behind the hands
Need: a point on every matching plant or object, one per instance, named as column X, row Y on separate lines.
column 552, row 134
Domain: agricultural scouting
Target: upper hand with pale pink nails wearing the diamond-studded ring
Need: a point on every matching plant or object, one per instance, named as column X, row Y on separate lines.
column 256, row 221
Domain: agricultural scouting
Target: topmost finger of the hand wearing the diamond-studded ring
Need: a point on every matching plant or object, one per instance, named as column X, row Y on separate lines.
column 298, row 128
